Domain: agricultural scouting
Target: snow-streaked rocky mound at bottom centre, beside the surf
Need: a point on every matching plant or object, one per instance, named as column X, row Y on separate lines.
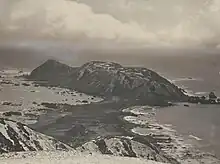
column 126, row 147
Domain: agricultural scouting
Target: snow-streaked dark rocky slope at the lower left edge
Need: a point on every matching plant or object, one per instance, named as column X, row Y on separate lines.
column 15, row 137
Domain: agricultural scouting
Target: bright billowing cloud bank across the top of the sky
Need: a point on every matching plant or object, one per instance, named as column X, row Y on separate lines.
column 158, row 23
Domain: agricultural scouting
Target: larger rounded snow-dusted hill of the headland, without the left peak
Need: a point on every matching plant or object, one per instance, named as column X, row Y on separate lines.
column 113, row 79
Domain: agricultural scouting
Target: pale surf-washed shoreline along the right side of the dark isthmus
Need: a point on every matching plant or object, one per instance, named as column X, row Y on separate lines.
column 168, row 139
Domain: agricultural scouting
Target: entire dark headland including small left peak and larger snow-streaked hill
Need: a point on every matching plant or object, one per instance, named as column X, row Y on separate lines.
column 110, row 79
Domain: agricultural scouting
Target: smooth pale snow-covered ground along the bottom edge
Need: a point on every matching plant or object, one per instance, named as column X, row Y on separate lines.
column 69, row 158
